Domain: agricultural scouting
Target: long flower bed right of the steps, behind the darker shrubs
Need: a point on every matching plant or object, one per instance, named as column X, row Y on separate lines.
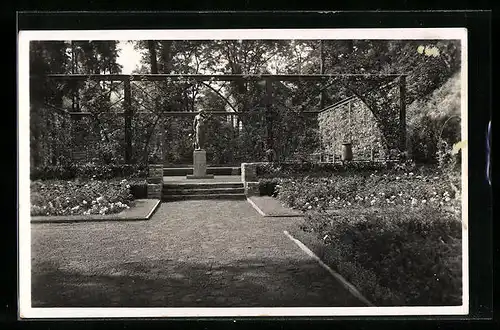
column 377, row 189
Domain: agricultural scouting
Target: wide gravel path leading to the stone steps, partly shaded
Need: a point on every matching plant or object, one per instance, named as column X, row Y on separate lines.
column 190, row 254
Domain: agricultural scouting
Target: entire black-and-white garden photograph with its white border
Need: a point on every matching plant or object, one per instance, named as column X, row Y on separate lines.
column 300, row 173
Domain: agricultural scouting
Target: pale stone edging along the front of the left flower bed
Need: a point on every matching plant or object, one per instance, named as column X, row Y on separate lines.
column 94, row 217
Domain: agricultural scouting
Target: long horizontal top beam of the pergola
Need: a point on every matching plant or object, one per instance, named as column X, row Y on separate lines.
column 207, row 77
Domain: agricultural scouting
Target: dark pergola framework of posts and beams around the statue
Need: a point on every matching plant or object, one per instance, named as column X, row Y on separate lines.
column 267, row 78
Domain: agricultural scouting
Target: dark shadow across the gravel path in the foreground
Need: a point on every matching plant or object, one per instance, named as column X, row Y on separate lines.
column 169, row 283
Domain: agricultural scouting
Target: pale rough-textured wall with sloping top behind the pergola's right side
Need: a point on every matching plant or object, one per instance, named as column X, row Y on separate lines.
column 360, row 128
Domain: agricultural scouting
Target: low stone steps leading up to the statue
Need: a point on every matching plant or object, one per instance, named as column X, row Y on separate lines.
column 202, row 190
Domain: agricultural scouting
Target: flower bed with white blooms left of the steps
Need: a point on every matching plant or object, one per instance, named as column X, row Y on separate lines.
column 80, row 197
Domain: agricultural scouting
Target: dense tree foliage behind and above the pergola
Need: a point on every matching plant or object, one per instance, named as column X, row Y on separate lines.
column 293, row 134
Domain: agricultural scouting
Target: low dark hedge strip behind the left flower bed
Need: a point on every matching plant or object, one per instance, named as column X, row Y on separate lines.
column 88, row 171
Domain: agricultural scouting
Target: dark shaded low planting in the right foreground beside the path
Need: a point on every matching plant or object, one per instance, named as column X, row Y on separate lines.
column 397, row 257
